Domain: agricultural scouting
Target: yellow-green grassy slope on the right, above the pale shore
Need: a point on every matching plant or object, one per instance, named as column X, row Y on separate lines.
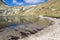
column 50, row 8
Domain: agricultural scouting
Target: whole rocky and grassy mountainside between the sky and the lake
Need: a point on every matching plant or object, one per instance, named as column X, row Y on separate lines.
column 50, row 8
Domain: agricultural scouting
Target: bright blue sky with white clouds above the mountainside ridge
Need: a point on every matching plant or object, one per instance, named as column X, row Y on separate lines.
column 23, row 2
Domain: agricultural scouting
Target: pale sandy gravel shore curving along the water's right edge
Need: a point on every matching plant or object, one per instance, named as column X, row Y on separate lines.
column 50, row 33
